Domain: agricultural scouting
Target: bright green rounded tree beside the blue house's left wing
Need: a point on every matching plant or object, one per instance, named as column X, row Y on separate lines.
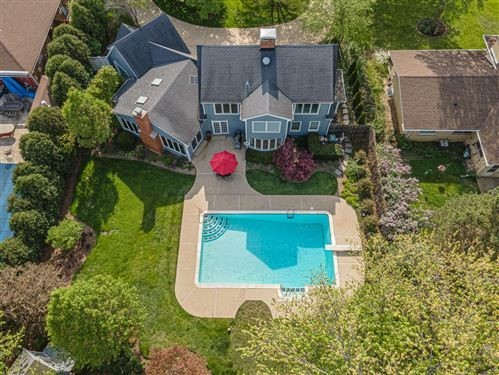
column 89, row 118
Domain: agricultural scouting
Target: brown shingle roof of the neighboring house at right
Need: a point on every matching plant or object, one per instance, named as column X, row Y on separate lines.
column 450, row 90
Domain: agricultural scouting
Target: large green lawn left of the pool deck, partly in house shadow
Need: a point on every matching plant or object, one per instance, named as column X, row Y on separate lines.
column 136, row 210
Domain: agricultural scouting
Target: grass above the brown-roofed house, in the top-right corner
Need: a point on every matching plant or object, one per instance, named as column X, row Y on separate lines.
column 395, row 25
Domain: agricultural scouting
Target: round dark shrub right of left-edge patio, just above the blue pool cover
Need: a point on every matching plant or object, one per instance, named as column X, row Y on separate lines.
column 39, row 149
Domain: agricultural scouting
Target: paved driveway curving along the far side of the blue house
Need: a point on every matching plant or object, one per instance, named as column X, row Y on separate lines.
column 292, row 32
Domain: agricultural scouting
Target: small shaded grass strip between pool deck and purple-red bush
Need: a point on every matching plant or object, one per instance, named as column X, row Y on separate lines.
column 320, row 183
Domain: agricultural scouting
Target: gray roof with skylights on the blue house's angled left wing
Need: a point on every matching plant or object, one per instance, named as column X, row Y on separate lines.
column 172, row 106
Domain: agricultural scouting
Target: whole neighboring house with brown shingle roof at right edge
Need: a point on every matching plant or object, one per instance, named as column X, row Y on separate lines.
column 451, row 95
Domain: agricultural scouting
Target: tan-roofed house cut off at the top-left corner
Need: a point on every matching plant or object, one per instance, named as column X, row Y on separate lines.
column 24, row 34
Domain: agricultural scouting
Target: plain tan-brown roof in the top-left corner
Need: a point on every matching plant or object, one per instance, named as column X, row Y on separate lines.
column 24, row 25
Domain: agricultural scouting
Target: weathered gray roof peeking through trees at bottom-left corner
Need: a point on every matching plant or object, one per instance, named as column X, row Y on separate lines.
column 50, row 361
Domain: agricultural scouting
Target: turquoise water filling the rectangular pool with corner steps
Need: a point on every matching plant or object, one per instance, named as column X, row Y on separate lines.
column 265, row 249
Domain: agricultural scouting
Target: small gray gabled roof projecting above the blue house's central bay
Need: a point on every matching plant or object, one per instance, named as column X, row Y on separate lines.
column 266, row 99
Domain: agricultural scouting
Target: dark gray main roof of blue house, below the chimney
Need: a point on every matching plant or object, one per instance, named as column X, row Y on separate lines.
column 303, row 73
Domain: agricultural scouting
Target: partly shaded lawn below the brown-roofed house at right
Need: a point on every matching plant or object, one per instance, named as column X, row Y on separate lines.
column 437, row 186
